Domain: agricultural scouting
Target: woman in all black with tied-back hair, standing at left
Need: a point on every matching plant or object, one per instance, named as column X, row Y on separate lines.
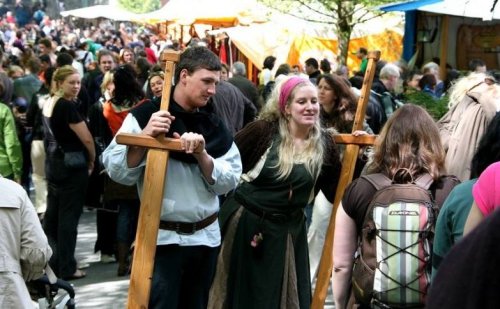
column 65, row 132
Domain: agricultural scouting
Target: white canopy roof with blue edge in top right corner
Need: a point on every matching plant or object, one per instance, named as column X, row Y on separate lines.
column 466, row 8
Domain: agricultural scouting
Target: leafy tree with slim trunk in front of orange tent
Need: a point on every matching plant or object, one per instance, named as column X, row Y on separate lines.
column 343, row 15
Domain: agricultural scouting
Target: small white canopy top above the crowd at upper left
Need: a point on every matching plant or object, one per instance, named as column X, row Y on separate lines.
column 101, row 11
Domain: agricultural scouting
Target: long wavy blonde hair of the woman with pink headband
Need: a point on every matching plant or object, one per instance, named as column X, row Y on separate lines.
column 313, row 153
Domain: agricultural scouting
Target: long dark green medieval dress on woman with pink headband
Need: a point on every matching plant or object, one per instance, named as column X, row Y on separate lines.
column 273, row 273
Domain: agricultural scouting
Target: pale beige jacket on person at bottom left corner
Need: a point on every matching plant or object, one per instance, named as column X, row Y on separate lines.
column 24, row 249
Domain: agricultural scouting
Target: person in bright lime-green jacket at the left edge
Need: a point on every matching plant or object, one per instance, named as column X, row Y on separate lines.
column 11, row 158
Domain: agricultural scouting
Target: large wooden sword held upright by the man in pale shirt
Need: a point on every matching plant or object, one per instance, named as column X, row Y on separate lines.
column 152, row 195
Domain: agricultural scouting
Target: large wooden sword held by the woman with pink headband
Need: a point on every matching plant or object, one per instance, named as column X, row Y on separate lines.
column 348, row 163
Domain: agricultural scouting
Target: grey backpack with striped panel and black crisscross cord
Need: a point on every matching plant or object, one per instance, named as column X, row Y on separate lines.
column 393, row 264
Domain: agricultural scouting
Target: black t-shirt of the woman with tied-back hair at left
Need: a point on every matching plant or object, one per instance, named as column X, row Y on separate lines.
column 65, row 113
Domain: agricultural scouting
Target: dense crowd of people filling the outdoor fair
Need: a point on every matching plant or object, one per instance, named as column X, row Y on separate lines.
column 244, row 219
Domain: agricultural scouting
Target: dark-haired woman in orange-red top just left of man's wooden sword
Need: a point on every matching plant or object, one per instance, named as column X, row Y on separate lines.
column 105, row 122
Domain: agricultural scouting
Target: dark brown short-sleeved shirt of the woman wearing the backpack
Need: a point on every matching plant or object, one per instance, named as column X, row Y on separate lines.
column 360, row 192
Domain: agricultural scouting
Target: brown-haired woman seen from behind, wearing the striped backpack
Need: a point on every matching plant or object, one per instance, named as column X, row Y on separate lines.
column 408, row 147
